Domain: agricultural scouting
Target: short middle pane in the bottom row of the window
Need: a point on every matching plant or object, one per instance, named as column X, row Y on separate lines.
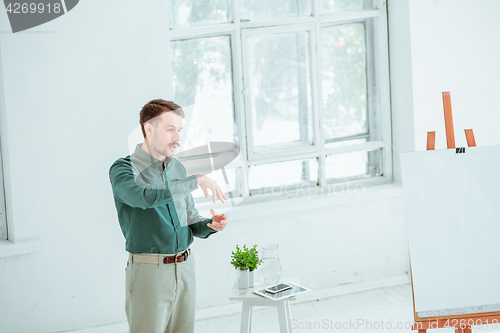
column 278, row 177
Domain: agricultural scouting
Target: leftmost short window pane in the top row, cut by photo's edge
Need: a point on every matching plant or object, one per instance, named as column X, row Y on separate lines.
column 189, row 13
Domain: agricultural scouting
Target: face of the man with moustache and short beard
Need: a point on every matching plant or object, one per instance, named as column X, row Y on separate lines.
column 166, row 136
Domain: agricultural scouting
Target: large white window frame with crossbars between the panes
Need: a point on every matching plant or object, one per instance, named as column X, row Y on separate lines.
column 378, row 87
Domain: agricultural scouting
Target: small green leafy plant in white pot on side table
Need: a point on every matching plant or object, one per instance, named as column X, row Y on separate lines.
column 245, row 261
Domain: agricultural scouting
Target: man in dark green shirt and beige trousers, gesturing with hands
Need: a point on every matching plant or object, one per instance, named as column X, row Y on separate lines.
column 158, row 219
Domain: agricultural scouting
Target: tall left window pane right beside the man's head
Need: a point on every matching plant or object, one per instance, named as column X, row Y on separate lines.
column 203, row 88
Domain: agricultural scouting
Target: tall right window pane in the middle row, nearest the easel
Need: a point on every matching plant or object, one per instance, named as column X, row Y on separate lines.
column 344, row 80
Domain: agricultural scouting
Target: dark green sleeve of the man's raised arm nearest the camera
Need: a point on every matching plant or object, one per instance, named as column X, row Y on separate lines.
column 129, row 187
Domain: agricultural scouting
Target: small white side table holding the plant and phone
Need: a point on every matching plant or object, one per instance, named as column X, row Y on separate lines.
column 250, row 299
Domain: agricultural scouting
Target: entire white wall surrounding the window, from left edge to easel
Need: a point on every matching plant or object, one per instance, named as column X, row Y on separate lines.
column 73, row 90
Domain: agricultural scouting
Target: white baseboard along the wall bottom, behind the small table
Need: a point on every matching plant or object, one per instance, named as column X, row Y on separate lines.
column 235, row 307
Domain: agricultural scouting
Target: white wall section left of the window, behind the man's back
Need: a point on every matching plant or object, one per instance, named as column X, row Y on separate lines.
column 73, row 90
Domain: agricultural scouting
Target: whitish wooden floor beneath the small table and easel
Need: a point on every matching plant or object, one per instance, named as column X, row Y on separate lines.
column 377, row 310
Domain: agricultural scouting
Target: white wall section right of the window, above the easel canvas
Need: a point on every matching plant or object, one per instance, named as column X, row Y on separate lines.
column 454, row 48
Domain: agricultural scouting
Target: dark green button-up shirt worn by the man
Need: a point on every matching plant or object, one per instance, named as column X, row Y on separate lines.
column 154, row 203
